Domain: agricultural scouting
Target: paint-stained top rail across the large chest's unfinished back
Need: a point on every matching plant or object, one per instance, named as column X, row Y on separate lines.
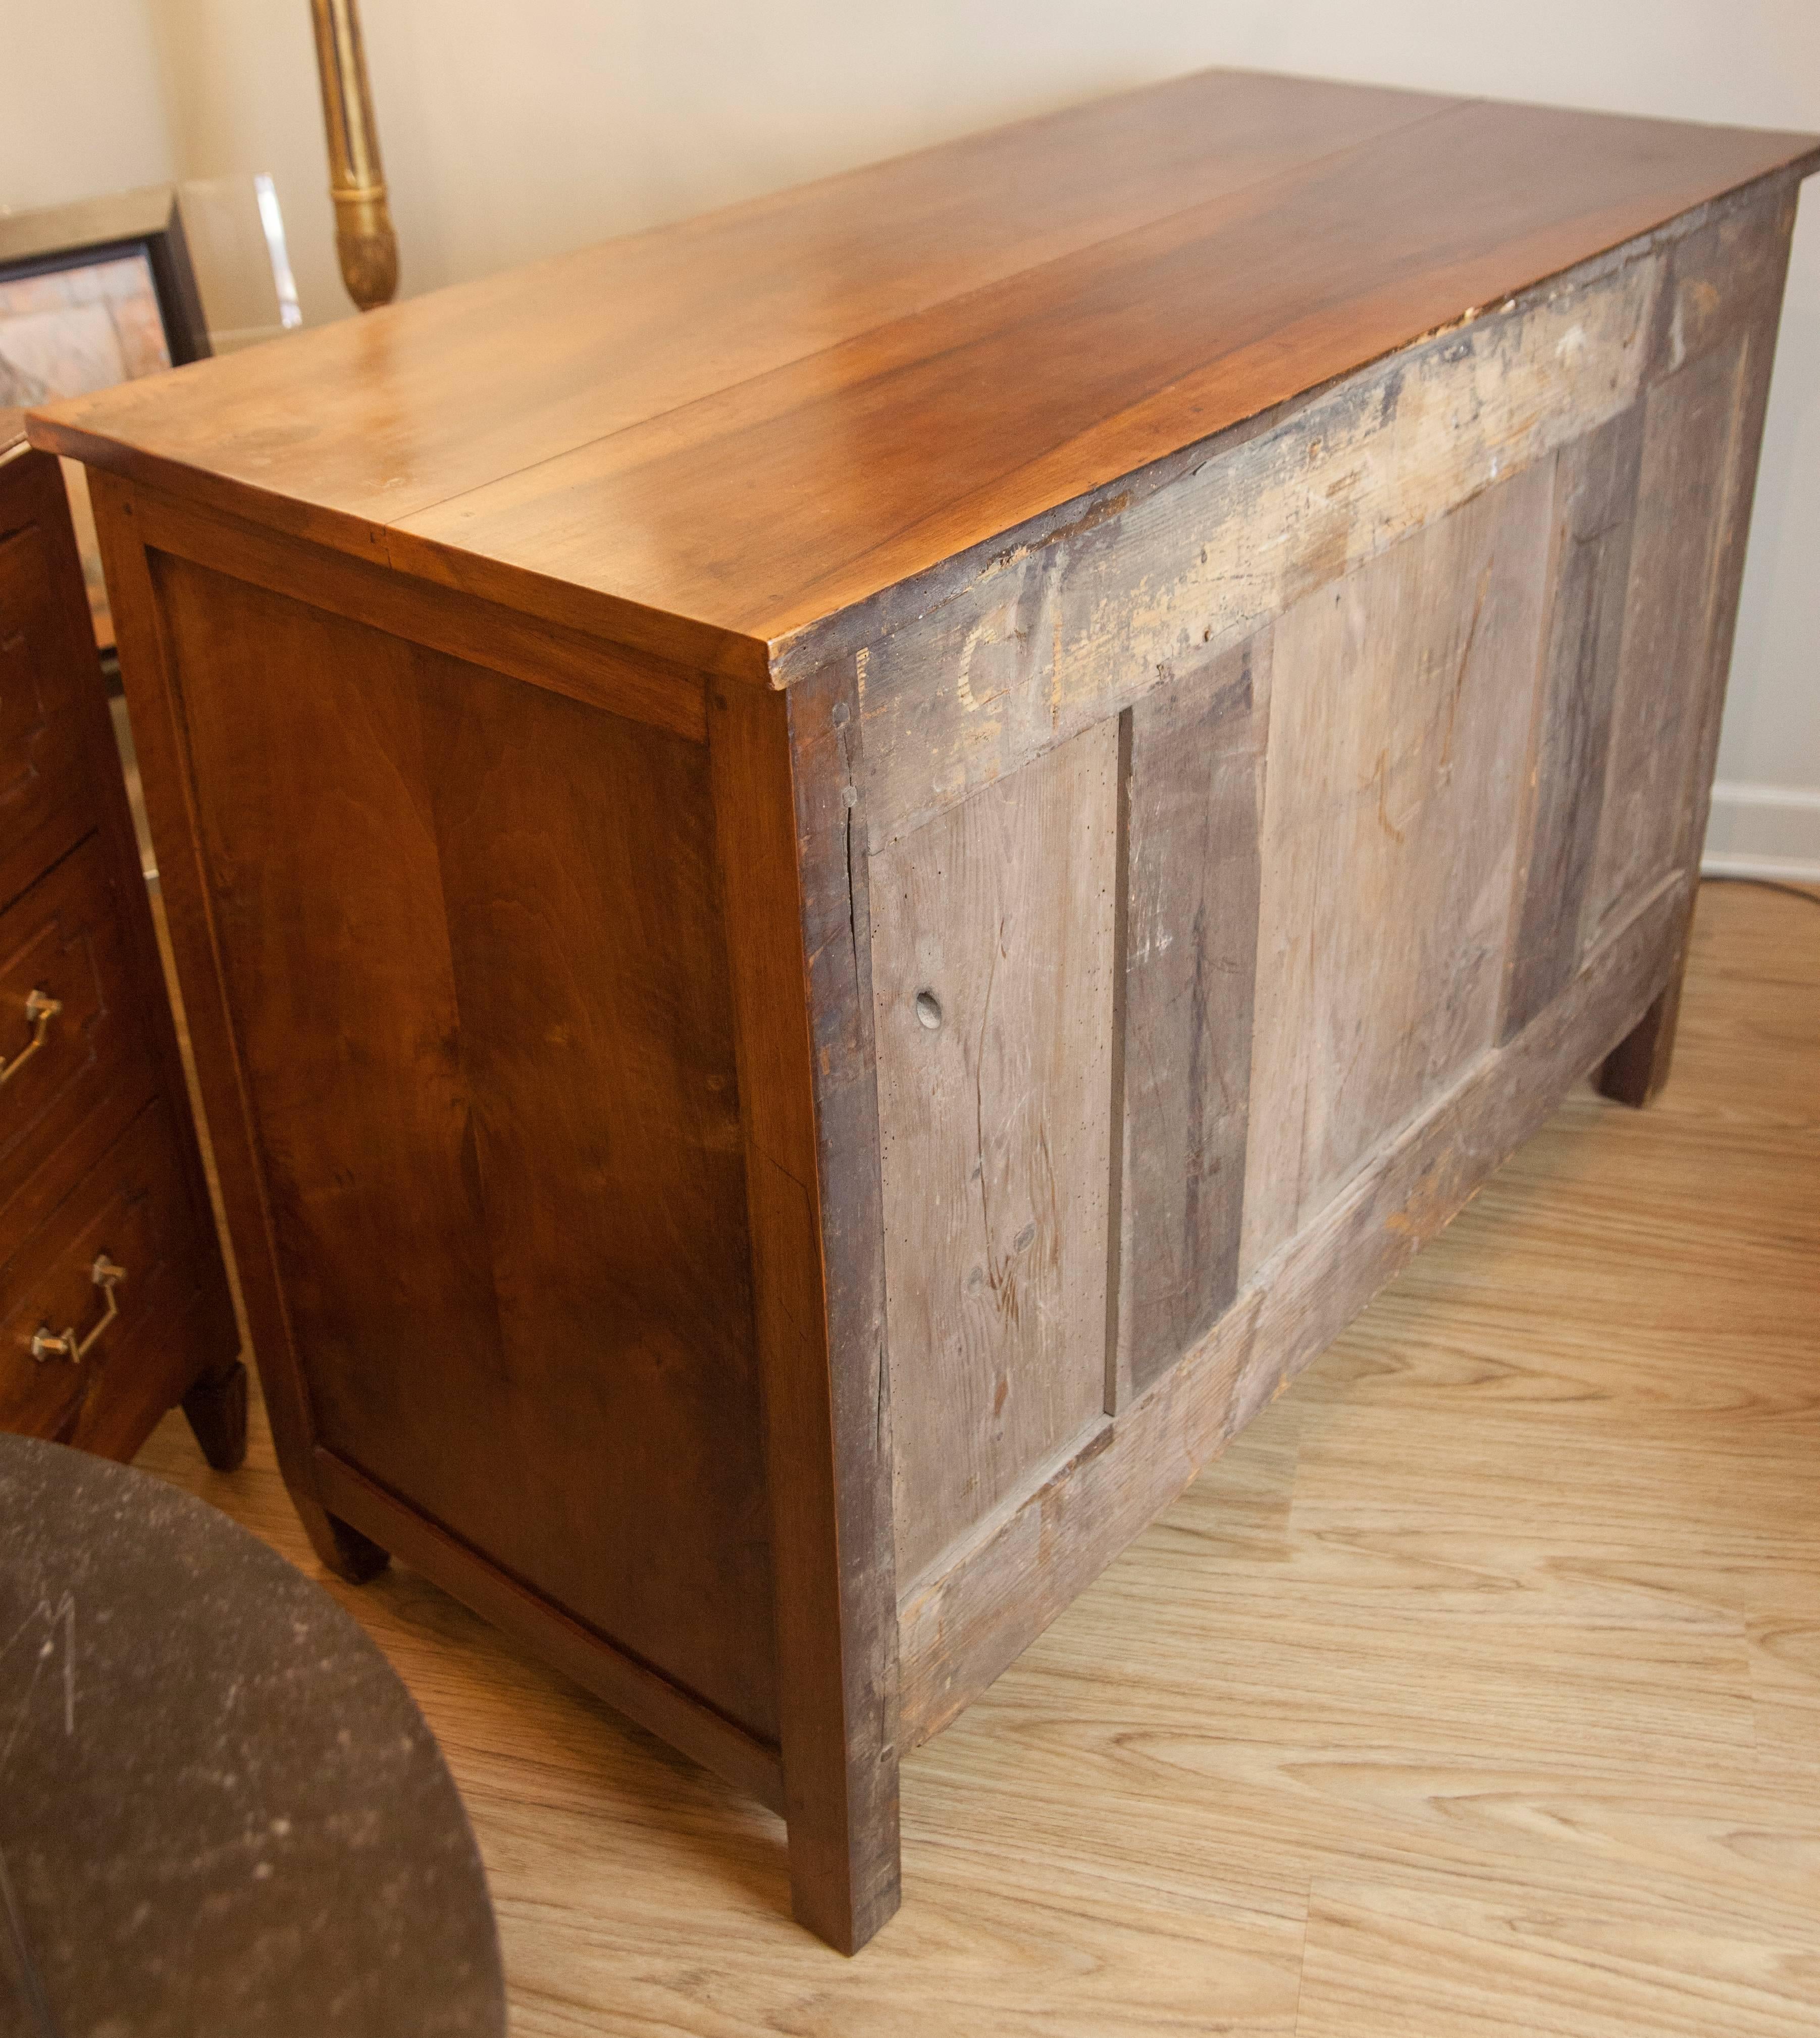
column 1055, row 639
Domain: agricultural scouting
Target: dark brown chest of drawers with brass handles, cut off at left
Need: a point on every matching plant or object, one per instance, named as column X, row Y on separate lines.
column 113, row 1295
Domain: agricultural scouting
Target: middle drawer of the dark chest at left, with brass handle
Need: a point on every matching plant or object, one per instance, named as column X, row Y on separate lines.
column 74, row 1079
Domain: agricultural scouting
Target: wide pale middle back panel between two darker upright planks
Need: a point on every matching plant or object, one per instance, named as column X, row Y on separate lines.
column 1401, row 712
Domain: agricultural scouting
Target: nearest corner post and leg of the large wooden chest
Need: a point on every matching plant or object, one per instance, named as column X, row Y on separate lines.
column 818, row 1340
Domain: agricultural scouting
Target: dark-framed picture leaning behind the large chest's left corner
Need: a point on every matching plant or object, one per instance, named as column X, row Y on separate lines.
column 95, row 294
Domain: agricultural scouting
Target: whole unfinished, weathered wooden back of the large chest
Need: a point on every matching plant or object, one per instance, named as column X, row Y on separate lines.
column 1252, row 865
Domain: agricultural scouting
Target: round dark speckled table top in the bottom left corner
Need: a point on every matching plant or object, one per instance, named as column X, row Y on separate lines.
column 221, row 1813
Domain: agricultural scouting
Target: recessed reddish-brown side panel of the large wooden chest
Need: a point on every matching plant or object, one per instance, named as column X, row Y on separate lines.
column 521, row 1228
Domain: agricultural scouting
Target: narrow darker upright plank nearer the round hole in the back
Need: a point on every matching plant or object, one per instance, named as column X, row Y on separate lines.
column 1195, row 794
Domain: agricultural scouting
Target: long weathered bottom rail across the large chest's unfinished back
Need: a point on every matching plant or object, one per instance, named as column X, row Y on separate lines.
column 977, row 1617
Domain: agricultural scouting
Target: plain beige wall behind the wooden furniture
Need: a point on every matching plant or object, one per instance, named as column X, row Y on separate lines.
column 519, row 127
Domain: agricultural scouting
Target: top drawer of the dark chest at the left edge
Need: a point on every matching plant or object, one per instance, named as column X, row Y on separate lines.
column 44, row 806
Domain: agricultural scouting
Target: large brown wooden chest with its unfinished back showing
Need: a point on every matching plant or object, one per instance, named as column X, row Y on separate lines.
column 849, row 873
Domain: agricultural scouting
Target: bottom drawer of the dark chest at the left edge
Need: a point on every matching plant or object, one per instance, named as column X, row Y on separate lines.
column 131, row 1214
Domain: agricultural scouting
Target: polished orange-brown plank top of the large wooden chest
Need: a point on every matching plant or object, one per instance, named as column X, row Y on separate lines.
column 712, row 437
